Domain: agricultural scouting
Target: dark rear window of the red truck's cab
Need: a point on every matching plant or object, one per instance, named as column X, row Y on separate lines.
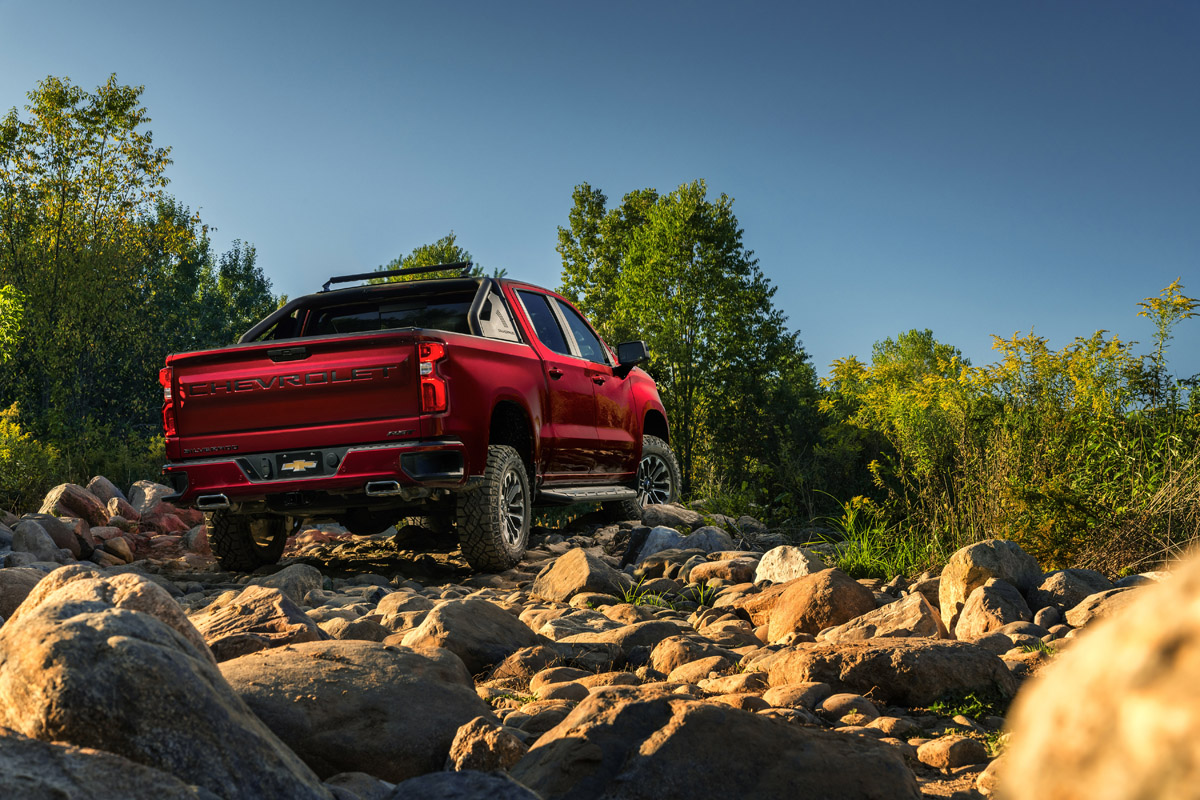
column 443, row 312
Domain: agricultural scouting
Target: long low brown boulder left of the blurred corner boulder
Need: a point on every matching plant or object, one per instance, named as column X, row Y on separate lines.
column 902, row 672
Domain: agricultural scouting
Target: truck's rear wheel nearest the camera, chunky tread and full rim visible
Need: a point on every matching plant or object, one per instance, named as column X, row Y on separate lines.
column 489, row 534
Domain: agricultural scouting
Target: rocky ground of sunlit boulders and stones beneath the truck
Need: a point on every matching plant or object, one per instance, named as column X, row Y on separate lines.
column 681, row 655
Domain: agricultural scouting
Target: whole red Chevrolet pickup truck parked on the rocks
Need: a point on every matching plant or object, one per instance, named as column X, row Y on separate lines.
column 464, row 400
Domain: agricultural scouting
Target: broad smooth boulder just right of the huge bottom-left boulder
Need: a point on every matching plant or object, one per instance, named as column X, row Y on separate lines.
column 361, row 707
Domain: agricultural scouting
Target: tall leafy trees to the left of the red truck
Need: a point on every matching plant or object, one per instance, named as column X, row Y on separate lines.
column 110, row 273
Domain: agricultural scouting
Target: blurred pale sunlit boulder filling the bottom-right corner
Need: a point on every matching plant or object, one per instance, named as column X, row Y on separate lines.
column 1118, row 714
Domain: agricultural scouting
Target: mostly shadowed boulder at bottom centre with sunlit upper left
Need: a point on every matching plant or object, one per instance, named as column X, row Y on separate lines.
column 641, row 744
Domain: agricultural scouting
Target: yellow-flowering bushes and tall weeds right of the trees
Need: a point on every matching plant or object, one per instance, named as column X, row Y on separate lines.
column 1085, row 455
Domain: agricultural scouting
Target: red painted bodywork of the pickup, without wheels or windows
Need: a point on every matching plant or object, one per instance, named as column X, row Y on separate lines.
column 314, row 394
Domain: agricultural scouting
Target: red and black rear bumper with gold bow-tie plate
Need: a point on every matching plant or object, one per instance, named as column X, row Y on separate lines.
column 440, row 464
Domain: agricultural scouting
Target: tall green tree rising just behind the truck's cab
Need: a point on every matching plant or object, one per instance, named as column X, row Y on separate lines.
column 673, row 270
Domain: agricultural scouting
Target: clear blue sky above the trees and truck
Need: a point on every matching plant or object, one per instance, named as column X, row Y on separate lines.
column 975, row 169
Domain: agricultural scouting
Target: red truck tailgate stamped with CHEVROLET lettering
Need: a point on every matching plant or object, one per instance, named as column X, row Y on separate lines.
column 314, row 383
